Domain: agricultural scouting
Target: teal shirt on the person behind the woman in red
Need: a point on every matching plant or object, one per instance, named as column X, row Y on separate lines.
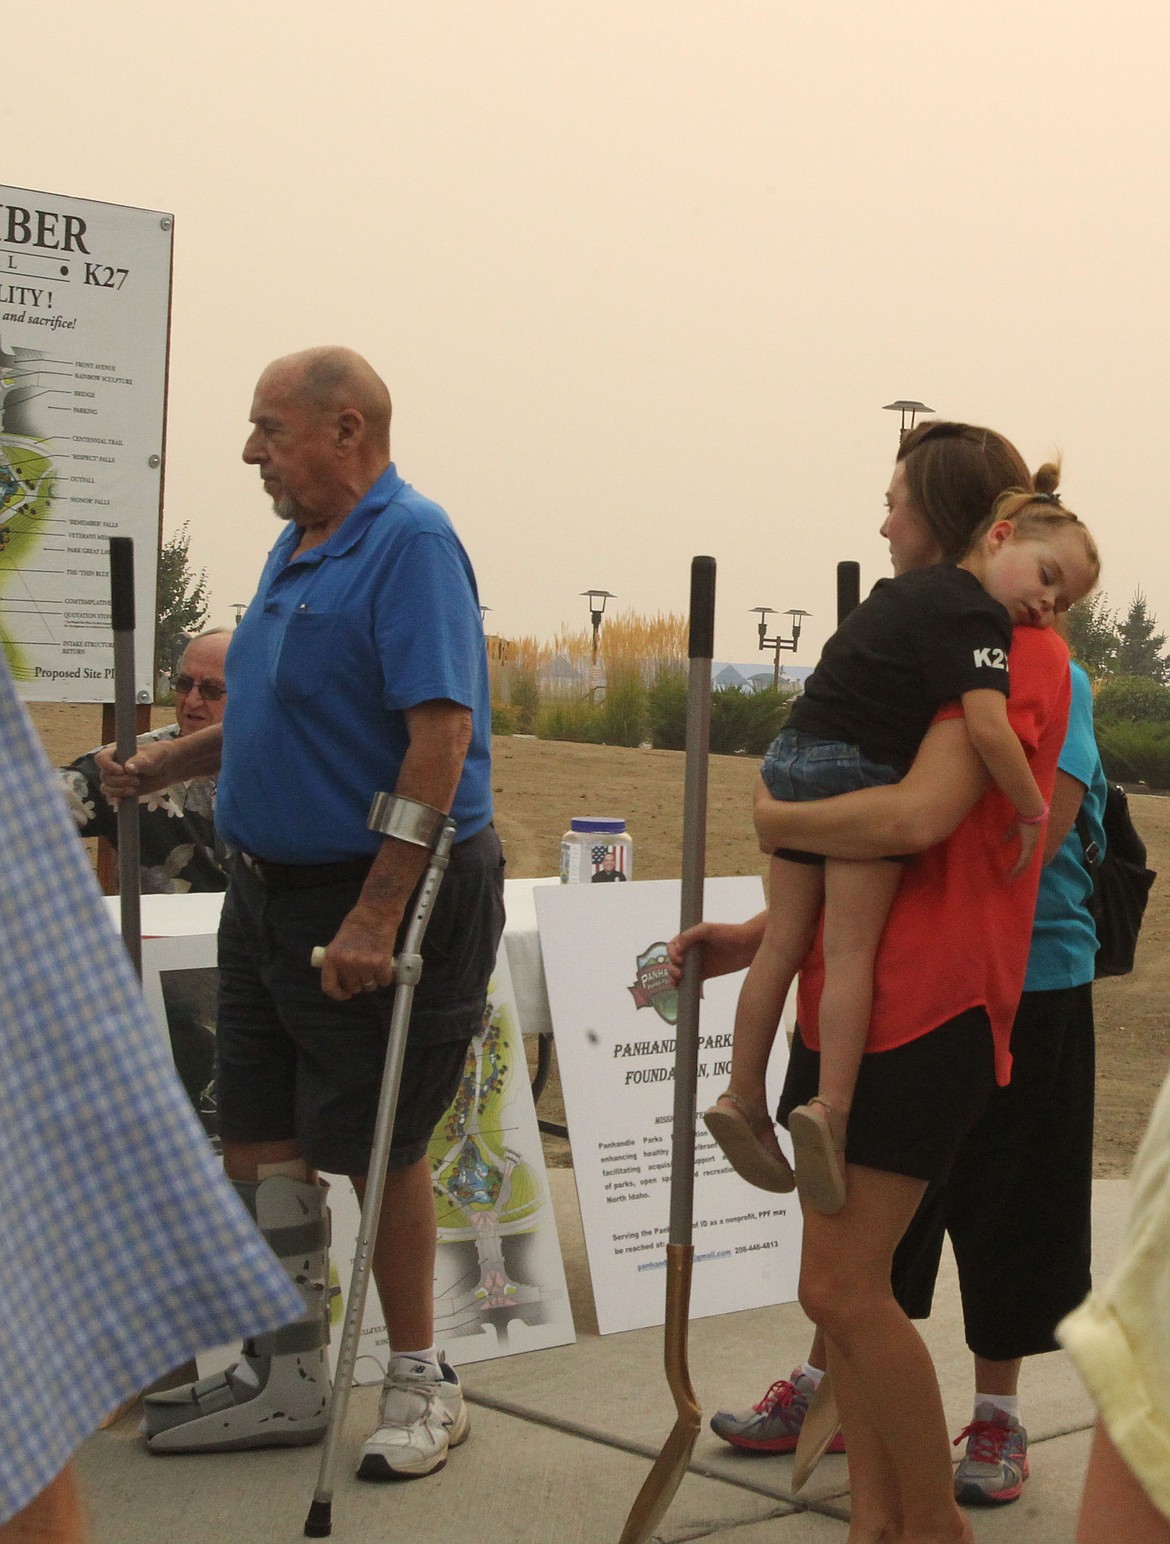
column 1064, row 938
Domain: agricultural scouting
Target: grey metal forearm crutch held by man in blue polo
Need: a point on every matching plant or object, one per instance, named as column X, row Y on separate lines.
column 422, row 827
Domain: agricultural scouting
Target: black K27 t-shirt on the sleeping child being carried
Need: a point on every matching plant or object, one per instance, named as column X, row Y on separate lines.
column 919, row 642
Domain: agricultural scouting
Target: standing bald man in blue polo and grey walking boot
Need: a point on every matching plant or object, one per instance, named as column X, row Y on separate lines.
column 359, row 668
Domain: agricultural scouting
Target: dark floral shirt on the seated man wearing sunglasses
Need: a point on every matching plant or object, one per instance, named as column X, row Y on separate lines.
column 177, row 827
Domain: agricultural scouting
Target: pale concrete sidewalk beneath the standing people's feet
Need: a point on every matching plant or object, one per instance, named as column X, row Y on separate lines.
column 563, row 1441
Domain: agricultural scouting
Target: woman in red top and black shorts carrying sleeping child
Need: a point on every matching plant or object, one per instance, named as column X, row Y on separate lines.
column 945, row 984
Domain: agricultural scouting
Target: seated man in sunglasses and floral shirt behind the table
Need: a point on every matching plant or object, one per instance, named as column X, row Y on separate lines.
column 180, row 847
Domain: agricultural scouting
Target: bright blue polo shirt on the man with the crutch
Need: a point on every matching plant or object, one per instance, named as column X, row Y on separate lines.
column 337, row 645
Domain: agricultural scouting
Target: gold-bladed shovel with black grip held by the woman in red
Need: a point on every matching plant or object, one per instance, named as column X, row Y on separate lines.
column 672, row 1463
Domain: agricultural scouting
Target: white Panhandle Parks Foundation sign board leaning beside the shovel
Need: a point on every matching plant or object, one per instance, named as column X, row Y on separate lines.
column 615, row 1035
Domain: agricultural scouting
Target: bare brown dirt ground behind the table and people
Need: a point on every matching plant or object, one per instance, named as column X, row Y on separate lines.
column 541, row 785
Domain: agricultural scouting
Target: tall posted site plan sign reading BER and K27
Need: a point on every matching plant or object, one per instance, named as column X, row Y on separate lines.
column 84, row 325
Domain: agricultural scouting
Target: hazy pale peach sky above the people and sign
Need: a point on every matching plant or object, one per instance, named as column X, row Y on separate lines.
column 641, row 276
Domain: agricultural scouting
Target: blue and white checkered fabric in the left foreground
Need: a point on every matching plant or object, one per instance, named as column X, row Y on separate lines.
column 123, row 1248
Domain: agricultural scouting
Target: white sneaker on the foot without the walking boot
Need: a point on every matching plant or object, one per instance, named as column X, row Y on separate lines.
column 422, row 1415
